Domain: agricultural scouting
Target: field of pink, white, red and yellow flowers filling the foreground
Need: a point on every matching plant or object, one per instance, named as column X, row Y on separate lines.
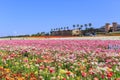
column 59, row 59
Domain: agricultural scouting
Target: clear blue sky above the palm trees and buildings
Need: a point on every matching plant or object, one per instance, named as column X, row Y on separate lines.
column 32, row 16
